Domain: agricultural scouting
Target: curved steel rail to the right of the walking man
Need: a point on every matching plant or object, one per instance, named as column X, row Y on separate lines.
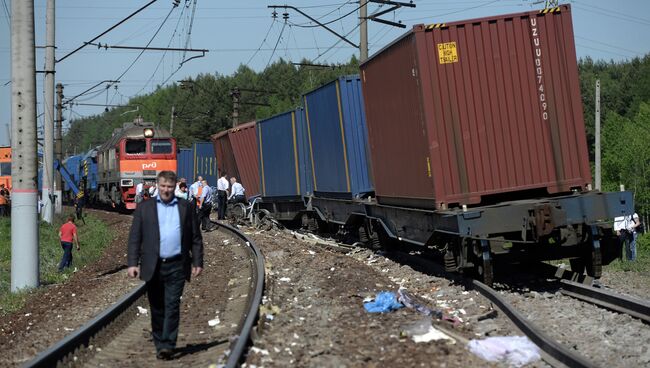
column 240, row 343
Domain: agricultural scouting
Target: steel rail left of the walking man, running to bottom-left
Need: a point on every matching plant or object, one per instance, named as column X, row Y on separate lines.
column 82, row 336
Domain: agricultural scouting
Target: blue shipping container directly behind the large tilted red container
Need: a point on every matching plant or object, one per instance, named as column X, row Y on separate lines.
column 337, row 138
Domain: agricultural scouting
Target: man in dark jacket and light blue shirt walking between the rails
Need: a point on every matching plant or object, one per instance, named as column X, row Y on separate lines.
column 165, row 249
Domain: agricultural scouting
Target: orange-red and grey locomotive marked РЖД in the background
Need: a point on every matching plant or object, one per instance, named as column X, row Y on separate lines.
column 135, row 153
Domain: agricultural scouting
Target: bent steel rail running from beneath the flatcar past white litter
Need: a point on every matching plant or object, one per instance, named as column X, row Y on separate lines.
column 551, row 347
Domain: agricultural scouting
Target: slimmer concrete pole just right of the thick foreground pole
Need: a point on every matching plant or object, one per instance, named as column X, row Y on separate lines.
column 48, row 141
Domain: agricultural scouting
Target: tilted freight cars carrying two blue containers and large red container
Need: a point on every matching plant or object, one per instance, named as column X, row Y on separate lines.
column 469, row 138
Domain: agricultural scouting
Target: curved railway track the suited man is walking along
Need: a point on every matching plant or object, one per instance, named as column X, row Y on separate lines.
column 218, row 312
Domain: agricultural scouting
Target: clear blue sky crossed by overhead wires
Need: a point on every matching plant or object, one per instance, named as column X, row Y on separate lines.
column 243, row 32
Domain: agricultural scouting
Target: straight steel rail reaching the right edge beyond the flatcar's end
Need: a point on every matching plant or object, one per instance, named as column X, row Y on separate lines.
column 636, row 308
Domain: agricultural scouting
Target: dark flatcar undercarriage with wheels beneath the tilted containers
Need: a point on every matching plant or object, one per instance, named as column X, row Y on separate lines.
column 575, row 227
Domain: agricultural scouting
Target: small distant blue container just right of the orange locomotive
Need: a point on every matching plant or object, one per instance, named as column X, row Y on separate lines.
column 197, row 160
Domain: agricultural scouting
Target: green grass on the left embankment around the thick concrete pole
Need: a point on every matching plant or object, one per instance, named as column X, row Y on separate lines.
column 93, row 238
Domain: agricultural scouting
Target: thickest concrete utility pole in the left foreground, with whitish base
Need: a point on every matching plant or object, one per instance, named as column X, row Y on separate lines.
column 24, row 196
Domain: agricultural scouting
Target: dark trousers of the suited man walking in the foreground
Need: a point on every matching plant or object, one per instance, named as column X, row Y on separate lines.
column 164, row 292
